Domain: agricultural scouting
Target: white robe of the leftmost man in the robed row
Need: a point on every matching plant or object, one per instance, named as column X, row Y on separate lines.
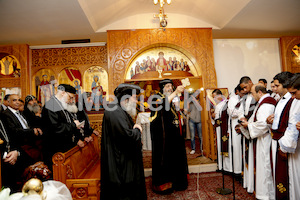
column 218, row 112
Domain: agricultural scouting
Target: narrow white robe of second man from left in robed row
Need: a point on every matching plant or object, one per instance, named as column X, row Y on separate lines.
column 233, row 114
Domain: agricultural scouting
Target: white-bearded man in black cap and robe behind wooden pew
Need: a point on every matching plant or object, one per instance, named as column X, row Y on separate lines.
column 60, row 129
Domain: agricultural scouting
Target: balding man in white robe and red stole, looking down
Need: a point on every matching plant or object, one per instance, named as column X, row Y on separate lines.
column 260, row 134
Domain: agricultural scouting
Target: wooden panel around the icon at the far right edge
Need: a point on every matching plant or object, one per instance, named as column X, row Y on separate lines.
column 286, row 45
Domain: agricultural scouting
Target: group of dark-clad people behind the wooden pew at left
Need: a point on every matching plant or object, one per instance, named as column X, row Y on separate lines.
column 31, row 134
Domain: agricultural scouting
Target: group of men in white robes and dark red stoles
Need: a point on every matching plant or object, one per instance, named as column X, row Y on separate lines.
column 257, row 135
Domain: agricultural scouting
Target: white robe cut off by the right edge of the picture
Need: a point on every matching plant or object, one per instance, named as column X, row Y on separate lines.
column 289, row 143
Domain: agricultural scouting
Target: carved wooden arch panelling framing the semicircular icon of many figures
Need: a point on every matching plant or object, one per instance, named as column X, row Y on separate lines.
column 124, row 45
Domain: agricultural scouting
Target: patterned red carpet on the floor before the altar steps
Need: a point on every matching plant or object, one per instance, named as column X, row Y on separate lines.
column 207, row 184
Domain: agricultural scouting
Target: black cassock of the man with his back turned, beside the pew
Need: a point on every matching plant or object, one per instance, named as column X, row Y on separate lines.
column 122, row 171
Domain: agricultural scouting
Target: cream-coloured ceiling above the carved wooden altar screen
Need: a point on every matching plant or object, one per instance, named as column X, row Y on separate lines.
column 44, row 22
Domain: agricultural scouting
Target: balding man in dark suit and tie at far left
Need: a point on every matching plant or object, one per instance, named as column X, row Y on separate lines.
column 18, row 134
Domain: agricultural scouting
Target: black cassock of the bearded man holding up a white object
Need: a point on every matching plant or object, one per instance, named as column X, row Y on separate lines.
column 169, row 160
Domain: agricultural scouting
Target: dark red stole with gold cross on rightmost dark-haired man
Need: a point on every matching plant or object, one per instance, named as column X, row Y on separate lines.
column 281, row 170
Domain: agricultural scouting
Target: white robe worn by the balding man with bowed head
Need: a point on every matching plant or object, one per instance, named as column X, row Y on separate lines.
column 264, row 184
